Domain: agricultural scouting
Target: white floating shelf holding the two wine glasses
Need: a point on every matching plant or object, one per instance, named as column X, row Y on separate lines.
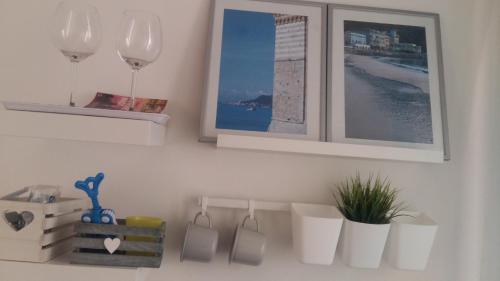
column 80, row 128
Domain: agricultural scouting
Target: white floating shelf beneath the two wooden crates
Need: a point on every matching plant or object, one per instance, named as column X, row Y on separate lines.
column 61, row 269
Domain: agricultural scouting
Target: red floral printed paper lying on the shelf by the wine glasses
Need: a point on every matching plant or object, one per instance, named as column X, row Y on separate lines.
column 117, row 102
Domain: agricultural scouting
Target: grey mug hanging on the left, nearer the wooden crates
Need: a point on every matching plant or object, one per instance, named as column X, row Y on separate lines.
column 200, row 242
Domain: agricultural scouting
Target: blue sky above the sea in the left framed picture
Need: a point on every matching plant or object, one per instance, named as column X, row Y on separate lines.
column 247, row 58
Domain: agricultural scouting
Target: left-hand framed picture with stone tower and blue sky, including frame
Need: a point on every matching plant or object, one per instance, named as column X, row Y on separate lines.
column 266, row 70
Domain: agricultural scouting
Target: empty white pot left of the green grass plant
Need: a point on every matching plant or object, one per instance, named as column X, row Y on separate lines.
column 316, row 230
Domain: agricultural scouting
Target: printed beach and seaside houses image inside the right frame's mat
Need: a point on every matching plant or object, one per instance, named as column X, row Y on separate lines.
column 387, row 92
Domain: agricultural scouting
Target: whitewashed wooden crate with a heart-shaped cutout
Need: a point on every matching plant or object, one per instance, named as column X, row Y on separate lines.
column 47, row 236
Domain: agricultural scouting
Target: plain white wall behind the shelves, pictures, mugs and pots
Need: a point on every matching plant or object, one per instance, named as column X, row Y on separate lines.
column 164, row 181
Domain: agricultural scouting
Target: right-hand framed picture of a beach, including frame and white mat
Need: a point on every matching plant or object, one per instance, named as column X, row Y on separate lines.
column 385, row 82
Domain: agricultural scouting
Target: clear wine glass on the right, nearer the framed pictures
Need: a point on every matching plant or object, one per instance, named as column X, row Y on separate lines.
column 139, row 42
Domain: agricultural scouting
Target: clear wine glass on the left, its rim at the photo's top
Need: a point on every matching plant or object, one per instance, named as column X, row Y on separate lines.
column 76, row 31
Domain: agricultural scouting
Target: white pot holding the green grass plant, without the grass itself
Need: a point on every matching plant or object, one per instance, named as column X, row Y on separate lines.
column 362, row 244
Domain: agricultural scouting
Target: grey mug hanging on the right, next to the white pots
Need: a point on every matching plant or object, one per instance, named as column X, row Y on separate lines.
column 249, row 245
